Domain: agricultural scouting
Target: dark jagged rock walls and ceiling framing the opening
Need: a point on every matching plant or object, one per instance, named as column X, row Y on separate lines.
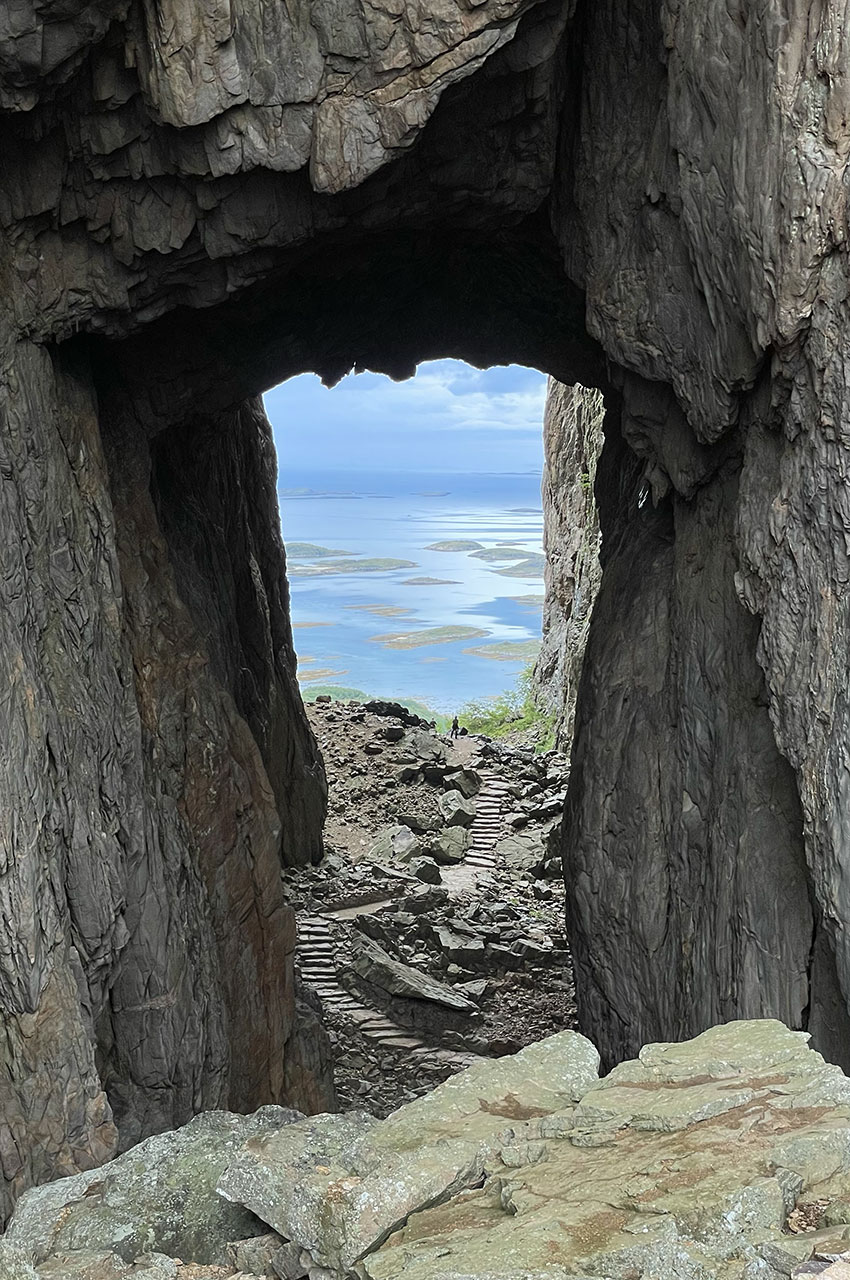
column 202, row 199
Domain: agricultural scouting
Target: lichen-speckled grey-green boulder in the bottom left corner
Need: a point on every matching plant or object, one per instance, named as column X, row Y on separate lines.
column 157, row 1199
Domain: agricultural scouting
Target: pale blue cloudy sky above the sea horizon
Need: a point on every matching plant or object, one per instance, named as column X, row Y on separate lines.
column 449, row 418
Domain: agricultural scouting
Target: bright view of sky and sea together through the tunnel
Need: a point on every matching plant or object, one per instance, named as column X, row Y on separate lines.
column 413, row 524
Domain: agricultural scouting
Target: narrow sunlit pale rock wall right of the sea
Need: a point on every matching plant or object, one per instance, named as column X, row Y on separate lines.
column 573, row 442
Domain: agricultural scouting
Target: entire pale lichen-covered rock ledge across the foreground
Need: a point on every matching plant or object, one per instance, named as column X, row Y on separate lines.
column 726, row 1158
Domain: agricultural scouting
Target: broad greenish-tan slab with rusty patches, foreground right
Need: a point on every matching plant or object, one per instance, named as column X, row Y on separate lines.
column 682, row 1165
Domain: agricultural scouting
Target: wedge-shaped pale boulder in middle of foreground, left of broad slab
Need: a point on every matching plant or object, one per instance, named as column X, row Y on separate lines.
column 341, row 1185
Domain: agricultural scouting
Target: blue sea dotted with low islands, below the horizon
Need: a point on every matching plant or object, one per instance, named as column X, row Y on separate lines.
column 348, row 624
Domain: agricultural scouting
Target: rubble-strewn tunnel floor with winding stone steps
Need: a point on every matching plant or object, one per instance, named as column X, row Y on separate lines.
column 428, row 953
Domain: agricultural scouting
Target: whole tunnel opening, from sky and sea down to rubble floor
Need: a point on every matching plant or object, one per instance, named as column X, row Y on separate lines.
column 413, row 519
